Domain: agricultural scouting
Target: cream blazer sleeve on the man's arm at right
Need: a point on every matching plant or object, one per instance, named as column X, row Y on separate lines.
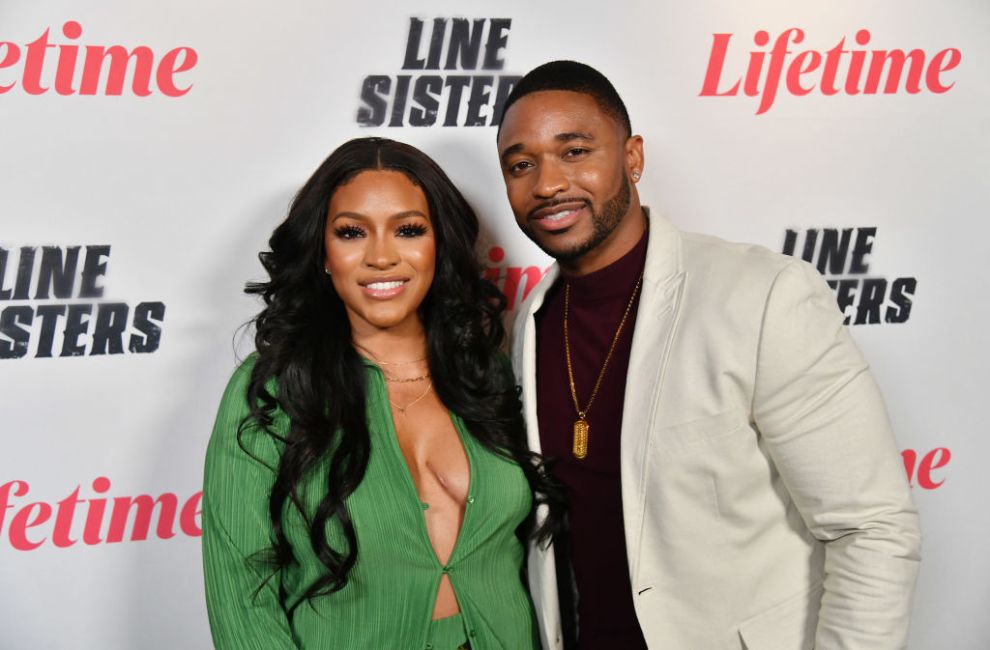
column 826, row 428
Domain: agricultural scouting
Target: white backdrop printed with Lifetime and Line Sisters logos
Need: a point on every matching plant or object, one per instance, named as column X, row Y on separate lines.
column 148, row 149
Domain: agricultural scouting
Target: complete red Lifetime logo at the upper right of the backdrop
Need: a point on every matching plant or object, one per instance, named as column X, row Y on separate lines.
column 838, row 70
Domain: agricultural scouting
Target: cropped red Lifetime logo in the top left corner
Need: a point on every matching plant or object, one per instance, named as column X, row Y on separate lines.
column 101, row 71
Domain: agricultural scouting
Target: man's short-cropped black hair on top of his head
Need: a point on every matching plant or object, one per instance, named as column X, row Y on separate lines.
column 575, row 77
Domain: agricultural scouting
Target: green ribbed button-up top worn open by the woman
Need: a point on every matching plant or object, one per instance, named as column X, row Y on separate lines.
column 388, row 601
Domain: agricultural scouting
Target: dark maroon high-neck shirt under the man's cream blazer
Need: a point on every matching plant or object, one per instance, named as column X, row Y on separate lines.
column 596, row 550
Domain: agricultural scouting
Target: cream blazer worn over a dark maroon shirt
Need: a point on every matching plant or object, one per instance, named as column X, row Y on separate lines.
column 765, row 505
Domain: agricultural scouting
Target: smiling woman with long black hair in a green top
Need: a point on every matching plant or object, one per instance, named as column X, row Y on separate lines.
column 368, row 471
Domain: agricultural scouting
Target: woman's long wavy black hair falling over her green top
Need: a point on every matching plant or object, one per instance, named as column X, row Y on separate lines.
column 304, row 343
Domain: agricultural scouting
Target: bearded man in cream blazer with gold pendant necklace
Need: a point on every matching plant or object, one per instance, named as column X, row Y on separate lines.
column 732, row 477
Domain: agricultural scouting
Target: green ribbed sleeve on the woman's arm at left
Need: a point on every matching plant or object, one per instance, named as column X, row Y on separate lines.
column 243, row 605
